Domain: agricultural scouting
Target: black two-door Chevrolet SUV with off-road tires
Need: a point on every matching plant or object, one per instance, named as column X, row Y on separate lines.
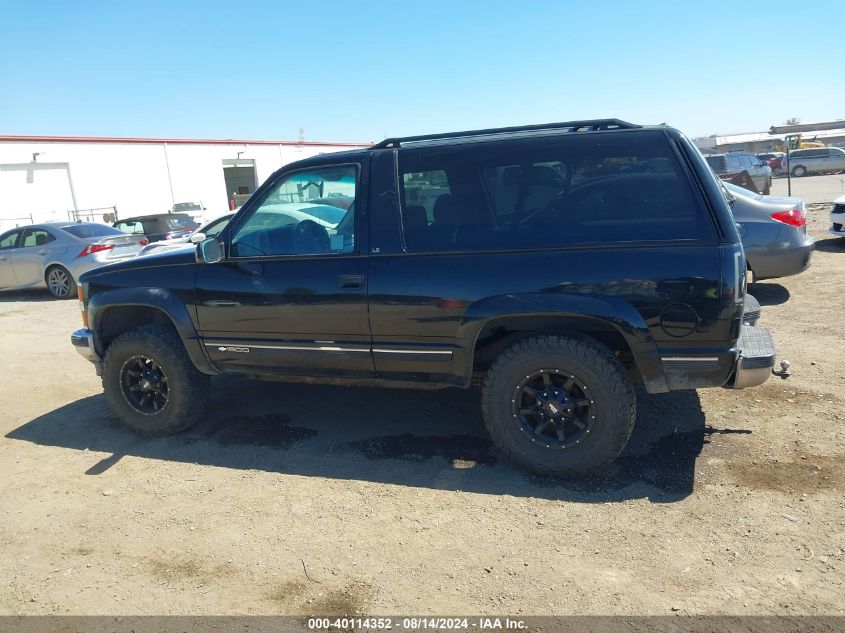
column 561, row 264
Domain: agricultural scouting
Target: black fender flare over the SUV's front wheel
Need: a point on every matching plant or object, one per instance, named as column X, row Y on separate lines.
column 167, row 302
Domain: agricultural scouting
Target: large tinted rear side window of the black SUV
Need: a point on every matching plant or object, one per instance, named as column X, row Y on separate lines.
column 548, row 192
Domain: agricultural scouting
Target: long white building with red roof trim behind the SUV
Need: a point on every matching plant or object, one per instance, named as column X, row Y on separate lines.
column 45, row 178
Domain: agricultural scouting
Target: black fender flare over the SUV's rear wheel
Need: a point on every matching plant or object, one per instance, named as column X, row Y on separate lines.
column 615, row 312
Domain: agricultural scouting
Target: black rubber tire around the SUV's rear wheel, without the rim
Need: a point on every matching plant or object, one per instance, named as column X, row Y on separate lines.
column 609, row 386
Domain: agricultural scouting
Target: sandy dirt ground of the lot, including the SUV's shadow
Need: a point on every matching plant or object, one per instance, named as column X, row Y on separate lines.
column 304, row 499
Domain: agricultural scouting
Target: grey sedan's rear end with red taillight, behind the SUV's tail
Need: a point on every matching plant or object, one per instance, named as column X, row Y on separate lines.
column 773, row 232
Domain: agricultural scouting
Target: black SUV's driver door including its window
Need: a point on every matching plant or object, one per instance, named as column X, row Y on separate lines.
column 291, row 295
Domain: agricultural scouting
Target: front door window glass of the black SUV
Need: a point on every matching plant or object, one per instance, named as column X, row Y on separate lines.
column 308, row 212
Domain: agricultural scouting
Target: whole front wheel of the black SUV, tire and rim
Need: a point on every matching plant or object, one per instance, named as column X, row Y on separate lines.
column 150, row 383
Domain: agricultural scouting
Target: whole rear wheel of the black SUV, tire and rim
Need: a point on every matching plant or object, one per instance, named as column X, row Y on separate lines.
column 559, row 405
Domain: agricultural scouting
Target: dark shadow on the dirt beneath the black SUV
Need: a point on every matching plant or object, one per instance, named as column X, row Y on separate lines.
column 432, row 439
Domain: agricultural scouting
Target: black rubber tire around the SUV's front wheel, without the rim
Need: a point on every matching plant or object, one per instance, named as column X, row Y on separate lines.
column 188, row 389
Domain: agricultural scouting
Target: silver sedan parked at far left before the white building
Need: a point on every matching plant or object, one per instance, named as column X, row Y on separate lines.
column 55, row 254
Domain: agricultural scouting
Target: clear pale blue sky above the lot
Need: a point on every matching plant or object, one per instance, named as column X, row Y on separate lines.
column 359, row 71
